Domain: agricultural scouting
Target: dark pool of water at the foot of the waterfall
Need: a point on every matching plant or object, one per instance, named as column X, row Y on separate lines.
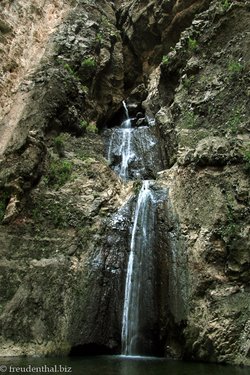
column 113, row 365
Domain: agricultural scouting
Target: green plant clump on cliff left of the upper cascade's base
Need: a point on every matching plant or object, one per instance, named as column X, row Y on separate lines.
column 59, row 173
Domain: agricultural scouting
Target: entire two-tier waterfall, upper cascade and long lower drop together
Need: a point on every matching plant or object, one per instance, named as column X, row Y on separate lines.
column 133, row 153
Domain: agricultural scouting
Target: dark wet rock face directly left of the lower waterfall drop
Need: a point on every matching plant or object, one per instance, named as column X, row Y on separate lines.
column 97, row 319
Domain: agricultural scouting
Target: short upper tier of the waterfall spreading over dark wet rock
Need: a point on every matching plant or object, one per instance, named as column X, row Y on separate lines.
column 132, row 150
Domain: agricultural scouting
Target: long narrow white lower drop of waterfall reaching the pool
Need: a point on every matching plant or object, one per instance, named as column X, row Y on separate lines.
column 138, row 244
